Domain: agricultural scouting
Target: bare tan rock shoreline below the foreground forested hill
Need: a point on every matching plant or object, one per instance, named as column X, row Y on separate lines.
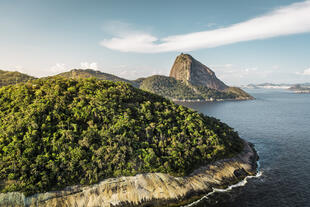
column 149, row 189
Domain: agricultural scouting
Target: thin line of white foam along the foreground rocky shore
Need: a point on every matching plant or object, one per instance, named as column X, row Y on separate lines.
column 240, row 184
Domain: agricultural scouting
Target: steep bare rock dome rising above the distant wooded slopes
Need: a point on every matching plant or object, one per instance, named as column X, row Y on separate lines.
column 187, row 69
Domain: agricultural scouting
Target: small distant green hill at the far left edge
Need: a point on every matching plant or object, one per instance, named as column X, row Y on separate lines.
column 8, row 78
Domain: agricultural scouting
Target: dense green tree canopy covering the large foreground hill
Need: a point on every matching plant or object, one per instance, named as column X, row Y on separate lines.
column 56, row 132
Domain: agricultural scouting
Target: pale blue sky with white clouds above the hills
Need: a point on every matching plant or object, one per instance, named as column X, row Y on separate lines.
column 242, row 41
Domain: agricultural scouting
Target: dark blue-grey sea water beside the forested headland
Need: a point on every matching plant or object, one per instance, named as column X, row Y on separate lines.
column 278, row 123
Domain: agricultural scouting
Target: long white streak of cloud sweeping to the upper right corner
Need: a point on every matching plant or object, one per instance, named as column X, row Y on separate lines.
column 292, row 19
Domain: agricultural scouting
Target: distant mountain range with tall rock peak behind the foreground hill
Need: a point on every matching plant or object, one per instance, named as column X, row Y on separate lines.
column 189, row 80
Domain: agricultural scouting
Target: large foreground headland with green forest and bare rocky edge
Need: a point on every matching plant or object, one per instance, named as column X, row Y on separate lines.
column 62, row 137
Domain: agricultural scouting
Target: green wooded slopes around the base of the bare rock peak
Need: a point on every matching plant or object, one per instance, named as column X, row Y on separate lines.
column 174, row 89
